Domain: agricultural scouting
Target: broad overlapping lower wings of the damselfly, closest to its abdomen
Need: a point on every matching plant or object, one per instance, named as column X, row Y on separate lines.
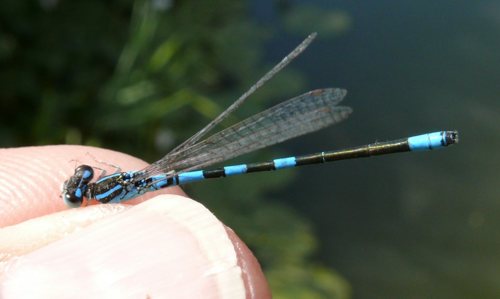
column 303, row 114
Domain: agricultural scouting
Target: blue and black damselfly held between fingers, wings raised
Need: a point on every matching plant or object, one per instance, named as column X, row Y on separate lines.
column 300, row 115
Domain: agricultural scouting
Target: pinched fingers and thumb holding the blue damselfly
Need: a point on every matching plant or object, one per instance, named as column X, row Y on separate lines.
column 161, row 245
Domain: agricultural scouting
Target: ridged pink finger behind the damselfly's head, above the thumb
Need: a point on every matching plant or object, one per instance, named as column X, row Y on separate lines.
column 31, row 178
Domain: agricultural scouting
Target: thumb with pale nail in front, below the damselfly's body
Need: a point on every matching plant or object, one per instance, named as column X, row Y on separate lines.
column 169, row 246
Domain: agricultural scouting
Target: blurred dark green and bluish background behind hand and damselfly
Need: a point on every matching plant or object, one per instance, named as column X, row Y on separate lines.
column 141, row 76
